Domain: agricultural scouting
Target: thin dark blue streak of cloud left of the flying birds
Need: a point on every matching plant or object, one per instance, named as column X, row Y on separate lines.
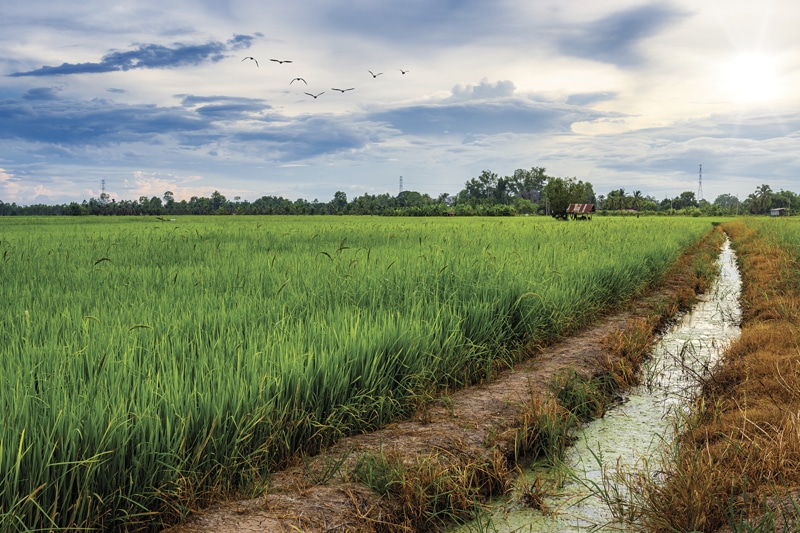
column 148, row 56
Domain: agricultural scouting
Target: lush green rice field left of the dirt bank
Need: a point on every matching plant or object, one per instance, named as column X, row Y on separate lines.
column 149, row 365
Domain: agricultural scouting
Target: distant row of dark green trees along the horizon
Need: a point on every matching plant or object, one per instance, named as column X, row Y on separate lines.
column 525, row 192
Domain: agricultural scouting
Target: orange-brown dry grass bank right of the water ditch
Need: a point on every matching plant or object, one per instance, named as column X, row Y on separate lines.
column 738, row 456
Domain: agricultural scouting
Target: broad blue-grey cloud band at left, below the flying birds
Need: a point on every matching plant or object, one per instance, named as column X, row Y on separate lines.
column 232, row 126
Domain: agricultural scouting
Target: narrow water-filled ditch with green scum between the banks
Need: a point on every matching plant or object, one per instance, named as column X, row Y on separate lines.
column 637, row 427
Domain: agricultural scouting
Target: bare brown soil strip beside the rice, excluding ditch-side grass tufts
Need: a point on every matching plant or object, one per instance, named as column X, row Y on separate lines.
column 472, row 422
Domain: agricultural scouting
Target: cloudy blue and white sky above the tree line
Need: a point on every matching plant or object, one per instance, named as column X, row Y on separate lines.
column 199, row 96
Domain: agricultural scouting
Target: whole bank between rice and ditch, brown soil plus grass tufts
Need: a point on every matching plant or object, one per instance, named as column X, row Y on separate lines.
column 471, row 438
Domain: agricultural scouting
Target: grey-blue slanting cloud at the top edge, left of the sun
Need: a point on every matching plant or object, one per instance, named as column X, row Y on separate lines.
column 615, row 39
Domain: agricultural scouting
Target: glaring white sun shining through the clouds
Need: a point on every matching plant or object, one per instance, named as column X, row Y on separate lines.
column 751, row 78
